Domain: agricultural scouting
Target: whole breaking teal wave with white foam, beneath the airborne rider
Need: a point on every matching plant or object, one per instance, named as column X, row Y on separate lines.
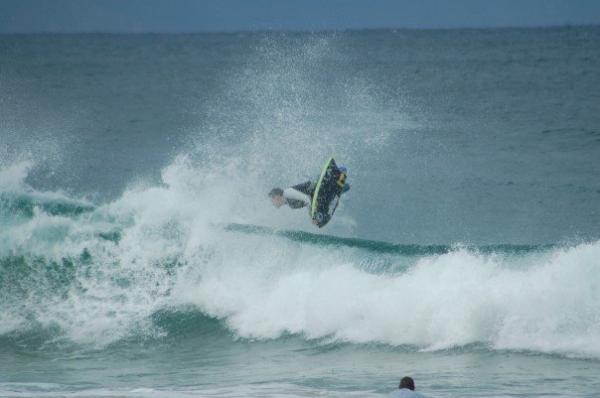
column 98, row 275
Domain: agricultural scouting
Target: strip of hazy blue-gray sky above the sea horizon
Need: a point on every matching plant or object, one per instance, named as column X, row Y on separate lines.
column 27, row 16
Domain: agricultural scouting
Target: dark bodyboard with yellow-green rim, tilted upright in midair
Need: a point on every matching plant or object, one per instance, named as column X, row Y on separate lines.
column 327, row 193
